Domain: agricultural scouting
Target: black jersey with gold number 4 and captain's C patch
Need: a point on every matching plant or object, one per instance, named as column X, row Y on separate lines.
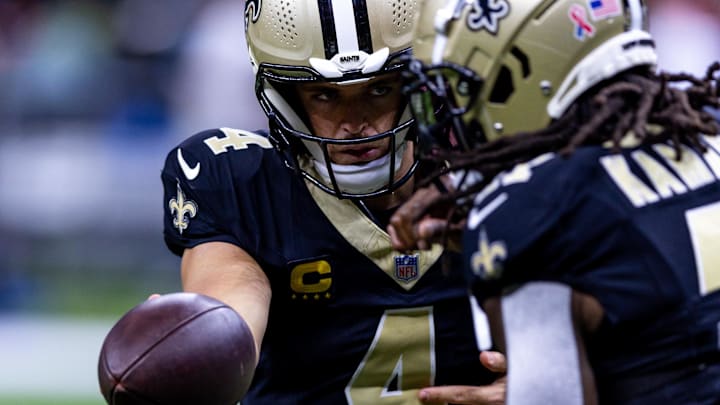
column 351, row 320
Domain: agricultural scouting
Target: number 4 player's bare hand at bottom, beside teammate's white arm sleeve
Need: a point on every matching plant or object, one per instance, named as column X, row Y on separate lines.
column 493, row 394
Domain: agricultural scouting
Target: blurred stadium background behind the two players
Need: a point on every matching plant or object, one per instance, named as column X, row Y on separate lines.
column 93, row 94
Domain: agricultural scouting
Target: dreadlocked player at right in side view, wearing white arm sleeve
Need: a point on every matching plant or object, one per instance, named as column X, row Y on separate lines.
column 589, row 187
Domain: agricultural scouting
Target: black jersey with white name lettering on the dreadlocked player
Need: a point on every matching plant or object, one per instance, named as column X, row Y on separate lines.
column 638, row 230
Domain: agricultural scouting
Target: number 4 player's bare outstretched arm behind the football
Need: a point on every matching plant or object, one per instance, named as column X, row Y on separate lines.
column 226, row 272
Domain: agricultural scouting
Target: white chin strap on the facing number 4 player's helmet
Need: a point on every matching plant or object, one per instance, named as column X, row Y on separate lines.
column 356, row 179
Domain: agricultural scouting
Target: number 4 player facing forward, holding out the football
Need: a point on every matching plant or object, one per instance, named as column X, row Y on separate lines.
column 287, row 226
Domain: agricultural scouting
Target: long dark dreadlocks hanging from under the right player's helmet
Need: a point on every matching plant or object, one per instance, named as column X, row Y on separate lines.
column 630, row 102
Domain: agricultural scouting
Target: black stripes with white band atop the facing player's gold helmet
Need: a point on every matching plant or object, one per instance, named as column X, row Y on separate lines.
column 328, row 16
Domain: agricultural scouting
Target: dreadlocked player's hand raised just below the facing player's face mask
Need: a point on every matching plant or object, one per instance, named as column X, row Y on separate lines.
column 420, row 222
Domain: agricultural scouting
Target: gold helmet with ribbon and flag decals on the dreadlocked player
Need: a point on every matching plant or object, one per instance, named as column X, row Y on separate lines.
column 502, row 66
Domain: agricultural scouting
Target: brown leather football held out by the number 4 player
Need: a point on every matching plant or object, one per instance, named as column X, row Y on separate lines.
column 180, row 348
